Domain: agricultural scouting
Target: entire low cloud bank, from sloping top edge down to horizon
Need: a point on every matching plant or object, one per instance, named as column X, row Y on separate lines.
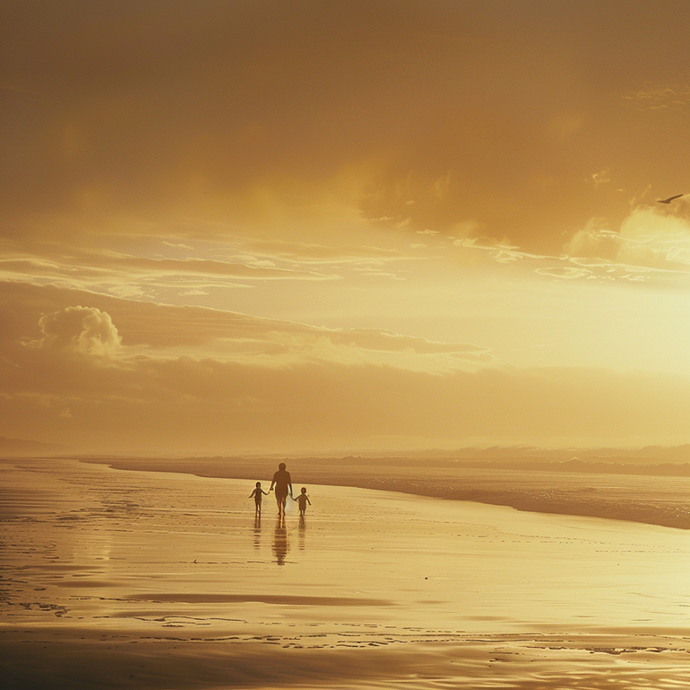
column 189, row 379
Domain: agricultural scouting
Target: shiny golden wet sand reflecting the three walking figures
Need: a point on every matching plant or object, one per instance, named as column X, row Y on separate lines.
column 114, row 578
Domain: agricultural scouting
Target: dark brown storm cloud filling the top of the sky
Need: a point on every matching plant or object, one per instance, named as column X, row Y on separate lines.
column 492, row 112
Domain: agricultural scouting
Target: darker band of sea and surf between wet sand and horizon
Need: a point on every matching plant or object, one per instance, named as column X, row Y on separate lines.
column 644, row 499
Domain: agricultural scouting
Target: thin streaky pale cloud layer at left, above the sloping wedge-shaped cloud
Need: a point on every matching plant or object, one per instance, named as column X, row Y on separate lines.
column 152, row 266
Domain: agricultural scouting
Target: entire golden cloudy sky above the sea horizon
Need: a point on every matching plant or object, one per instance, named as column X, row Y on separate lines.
column 295, row 226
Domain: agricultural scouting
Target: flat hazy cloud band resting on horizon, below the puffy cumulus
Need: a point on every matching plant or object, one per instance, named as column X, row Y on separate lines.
column 207, row 405
